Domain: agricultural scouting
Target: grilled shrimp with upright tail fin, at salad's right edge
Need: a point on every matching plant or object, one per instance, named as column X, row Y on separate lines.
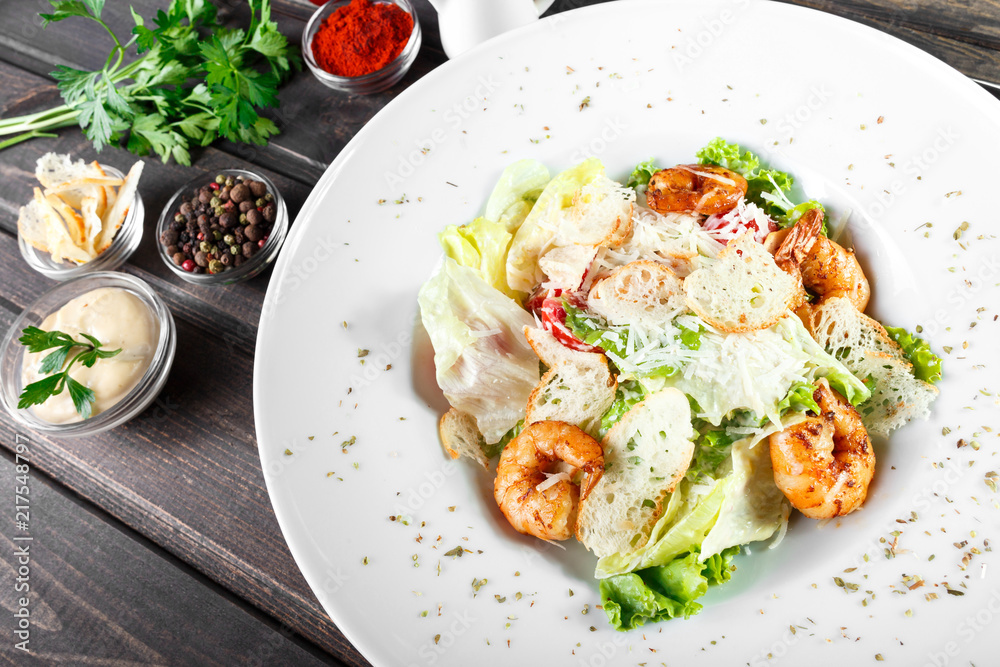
column 826, row 268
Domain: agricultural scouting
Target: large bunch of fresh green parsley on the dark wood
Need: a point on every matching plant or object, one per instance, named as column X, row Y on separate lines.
column 193, row 82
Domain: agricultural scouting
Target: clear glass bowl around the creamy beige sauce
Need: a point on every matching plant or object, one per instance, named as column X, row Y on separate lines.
column 12, row 355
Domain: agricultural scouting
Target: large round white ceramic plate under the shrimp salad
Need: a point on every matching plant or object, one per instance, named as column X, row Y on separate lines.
column 880, row 131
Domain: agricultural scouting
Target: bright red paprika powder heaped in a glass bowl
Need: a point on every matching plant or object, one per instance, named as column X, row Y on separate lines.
column 361, row 38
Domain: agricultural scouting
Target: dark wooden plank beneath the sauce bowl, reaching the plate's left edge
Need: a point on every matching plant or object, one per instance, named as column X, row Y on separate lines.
column 185, row 473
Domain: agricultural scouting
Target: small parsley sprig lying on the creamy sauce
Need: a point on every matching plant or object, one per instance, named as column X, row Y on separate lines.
column 38, row 340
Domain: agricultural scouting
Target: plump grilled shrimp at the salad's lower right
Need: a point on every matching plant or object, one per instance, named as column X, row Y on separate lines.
column 824, row 464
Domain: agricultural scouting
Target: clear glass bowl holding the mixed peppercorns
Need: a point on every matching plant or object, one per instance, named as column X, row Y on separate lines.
column 249, row 268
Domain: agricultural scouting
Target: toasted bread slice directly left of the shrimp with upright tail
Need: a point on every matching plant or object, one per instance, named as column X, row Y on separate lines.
column 745, row 290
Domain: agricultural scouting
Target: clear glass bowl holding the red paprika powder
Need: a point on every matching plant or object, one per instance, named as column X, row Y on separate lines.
column 367, row 84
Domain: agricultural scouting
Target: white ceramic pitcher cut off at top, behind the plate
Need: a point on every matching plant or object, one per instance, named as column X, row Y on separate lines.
column 466, row 23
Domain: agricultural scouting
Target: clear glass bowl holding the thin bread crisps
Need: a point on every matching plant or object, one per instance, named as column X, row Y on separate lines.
column 122, row 246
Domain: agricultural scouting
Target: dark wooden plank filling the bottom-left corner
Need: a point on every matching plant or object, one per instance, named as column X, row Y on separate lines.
column 99, row 594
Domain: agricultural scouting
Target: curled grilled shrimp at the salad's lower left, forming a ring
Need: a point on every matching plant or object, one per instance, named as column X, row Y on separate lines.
column 548, row 512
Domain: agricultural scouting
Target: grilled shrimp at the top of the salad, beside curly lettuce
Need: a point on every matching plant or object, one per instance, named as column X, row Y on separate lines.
column 695, row 188
